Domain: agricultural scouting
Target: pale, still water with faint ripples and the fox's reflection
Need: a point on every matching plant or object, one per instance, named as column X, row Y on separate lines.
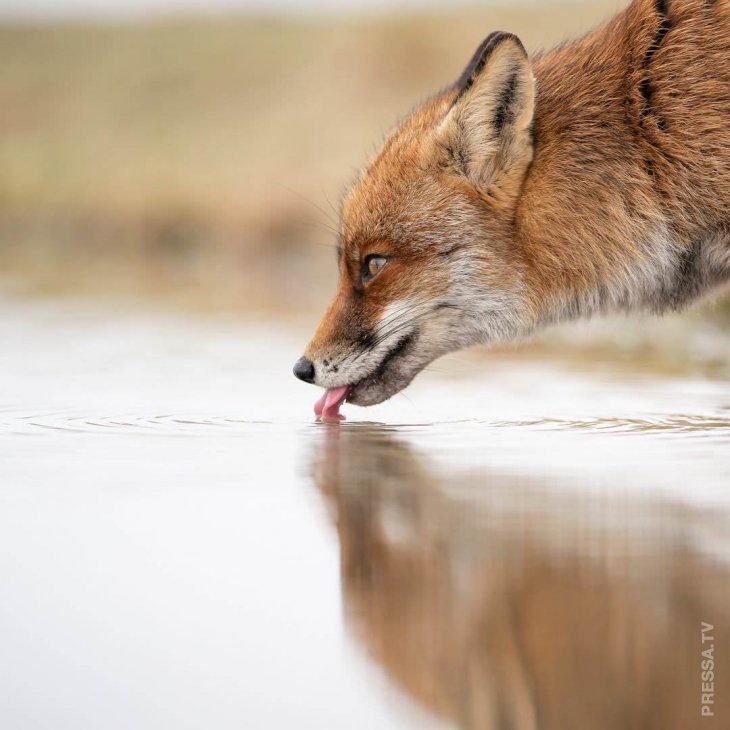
column 522, row 546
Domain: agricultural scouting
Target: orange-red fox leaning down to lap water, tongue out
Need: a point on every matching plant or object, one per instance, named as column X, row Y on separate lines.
column 590, row 179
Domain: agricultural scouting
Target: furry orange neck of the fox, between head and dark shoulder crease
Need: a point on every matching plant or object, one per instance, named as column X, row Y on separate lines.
column 599, row 227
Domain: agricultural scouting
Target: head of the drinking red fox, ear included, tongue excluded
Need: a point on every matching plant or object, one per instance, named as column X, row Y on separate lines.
column 426, row 254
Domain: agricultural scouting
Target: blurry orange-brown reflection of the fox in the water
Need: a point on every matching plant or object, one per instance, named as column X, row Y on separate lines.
column 501, row 602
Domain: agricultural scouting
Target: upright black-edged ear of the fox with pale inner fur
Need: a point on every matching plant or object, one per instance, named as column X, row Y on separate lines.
column 487, row 133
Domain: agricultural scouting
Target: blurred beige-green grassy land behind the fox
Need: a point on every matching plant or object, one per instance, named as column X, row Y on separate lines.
column 198, row 159
